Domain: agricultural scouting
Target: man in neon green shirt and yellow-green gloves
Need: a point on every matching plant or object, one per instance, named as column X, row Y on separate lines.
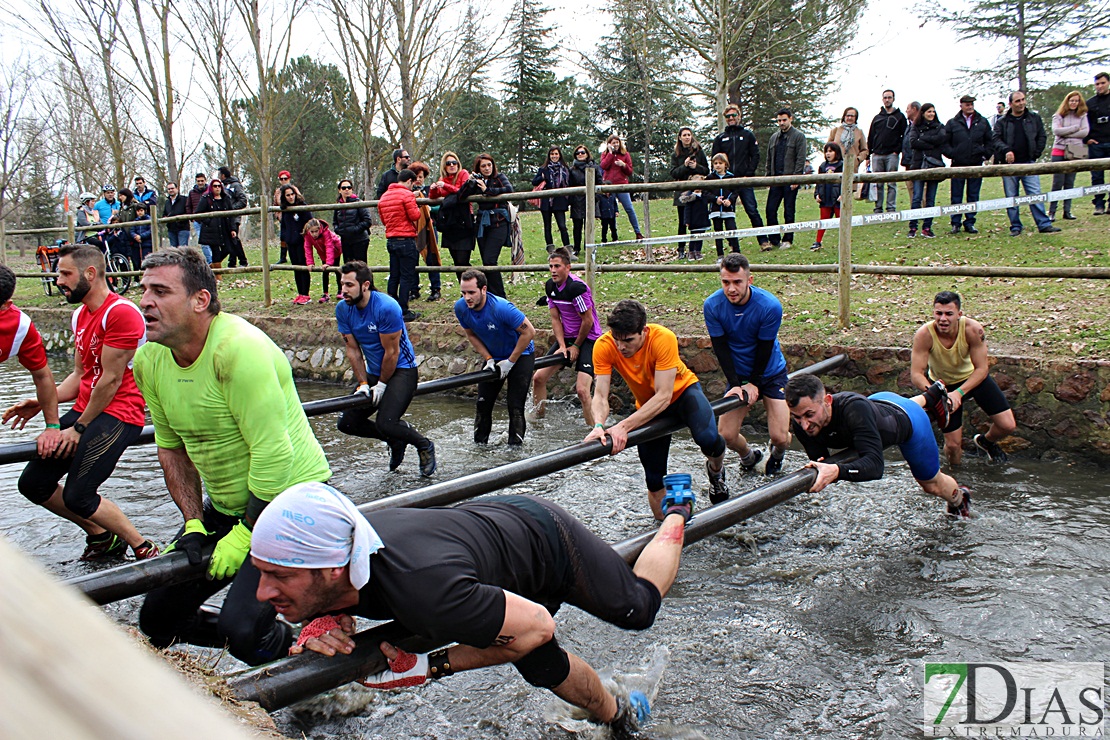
column 226, row 414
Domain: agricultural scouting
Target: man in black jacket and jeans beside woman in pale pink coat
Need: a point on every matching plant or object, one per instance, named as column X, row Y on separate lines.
column 1020, row 139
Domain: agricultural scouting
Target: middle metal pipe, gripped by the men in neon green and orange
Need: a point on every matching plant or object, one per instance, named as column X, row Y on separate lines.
column 136, row 579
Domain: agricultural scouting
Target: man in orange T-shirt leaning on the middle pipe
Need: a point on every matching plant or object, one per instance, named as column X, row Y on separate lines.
column 647, row 357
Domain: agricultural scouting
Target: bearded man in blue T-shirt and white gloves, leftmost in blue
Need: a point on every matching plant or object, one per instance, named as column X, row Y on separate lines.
column 384, row 362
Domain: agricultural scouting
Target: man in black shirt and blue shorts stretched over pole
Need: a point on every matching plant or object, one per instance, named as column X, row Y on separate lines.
column 869, row 425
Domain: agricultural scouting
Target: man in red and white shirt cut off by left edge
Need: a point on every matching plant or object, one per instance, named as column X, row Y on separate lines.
column 19, row 339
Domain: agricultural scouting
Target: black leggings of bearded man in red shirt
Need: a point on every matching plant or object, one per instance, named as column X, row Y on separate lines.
column 93, row 463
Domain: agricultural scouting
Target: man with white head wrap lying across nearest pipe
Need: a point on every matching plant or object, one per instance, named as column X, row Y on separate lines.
column 487, row 575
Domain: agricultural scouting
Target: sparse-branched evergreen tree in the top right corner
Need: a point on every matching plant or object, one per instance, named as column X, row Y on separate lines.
column 1043, row 38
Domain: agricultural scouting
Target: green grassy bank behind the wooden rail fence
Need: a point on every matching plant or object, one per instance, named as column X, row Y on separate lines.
column 1024, row 317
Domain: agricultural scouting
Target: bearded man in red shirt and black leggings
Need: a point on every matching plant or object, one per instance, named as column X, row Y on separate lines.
column 107, row 415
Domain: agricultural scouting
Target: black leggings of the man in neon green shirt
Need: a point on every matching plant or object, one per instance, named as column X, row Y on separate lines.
column 248, row 627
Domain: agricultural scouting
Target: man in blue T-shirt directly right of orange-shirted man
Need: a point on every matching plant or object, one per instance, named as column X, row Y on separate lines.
column 743, row 322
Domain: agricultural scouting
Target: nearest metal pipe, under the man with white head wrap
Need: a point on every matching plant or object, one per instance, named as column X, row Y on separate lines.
column 294, row 680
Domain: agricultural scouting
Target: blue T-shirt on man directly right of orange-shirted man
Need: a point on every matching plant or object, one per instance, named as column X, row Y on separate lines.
column 758, row 320
